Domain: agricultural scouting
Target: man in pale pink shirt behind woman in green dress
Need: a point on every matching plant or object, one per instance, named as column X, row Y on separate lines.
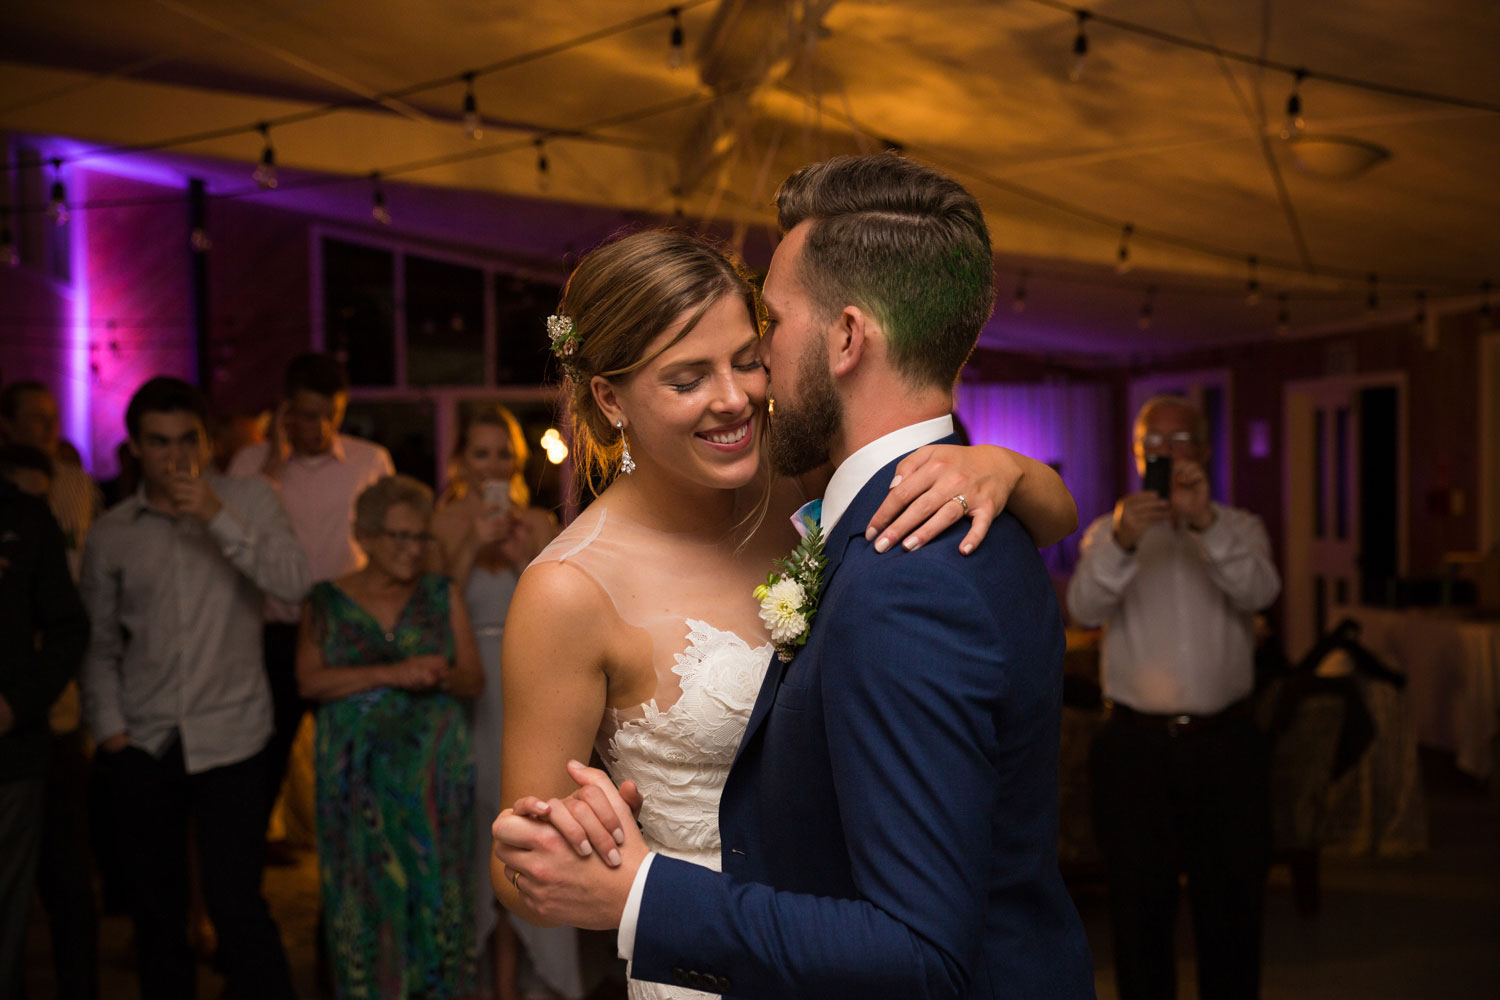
column 319, row 473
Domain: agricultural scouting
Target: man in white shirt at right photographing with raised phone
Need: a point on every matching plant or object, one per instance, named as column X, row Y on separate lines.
column 1180, row 770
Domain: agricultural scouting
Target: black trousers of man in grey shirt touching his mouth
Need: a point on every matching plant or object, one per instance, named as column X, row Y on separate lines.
column 229, row 812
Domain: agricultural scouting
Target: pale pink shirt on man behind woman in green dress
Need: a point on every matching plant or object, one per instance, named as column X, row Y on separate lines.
column 319, row 493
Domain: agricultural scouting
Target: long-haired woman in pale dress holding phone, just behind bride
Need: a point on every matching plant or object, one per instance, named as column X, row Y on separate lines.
column 487, row 533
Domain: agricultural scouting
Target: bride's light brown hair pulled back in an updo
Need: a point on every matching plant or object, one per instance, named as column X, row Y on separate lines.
column 620, row 299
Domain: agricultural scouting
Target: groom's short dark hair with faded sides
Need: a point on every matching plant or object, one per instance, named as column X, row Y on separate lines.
column 902, row 242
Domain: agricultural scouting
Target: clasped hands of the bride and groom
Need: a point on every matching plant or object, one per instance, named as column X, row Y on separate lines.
column 572, row 861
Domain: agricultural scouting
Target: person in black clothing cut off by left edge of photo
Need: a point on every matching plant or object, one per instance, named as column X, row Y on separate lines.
column 43, row 632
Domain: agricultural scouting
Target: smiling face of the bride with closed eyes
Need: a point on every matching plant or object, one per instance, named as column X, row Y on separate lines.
column 697, row 410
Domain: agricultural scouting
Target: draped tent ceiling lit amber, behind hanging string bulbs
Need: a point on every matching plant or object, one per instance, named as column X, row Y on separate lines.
column 1159, row 133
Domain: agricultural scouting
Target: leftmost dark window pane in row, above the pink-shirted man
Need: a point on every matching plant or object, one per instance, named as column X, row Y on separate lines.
column 359, row 316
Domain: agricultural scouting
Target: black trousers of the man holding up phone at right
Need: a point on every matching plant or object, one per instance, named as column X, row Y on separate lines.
column 1169, row 804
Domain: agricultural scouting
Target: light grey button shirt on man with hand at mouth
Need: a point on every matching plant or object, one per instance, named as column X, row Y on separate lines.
column 175, row 611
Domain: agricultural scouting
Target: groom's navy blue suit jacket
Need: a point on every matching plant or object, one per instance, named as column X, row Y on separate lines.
column 890, row 827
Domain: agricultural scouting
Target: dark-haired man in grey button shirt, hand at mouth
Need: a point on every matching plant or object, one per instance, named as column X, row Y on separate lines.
column 176, row 695
